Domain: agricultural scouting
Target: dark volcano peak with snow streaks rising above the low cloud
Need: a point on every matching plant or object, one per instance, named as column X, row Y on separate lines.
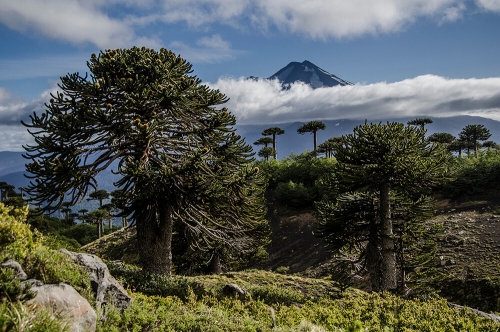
column 308, row 73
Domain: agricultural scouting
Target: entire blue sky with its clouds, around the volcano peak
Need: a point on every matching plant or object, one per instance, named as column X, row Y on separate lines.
column 407, row 58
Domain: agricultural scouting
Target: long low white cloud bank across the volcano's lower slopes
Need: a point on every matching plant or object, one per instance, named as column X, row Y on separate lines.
column 262, row 102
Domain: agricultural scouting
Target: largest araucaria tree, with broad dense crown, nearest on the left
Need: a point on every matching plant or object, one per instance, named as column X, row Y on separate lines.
column 176, row 152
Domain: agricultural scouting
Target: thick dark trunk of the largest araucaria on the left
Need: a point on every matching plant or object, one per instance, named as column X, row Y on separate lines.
column 154, row 239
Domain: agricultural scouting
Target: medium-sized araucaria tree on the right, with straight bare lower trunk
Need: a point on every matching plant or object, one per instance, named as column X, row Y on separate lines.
column 380, row 169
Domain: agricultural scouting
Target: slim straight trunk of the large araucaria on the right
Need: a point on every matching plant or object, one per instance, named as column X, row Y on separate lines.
column 388, row 264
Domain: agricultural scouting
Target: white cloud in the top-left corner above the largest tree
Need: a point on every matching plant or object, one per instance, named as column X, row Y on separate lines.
column 75, row 21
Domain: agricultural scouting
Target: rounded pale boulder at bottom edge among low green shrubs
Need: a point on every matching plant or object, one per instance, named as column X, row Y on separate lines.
column 63, row 301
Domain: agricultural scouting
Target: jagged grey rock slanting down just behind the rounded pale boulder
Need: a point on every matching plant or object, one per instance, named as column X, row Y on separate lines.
column 107, row 289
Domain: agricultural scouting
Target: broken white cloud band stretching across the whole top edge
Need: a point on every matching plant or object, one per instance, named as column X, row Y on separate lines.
column 115, row 23
